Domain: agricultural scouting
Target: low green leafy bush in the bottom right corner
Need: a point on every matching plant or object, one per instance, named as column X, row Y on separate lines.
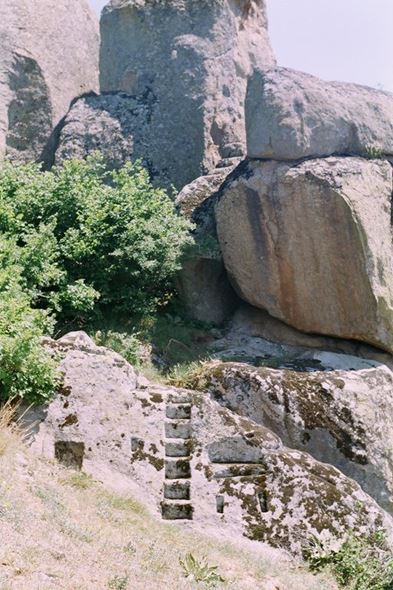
column 359, row 564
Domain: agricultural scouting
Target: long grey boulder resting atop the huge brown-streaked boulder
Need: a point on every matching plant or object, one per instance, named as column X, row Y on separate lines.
column 292, row 115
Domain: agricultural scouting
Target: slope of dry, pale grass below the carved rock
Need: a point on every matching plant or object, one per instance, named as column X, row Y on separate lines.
column 60, row 529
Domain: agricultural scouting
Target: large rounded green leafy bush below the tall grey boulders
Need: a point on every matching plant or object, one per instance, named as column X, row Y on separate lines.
column 92, row 240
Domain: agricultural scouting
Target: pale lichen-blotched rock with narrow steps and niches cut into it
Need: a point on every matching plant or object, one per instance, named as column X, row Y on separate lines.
column 192, row 459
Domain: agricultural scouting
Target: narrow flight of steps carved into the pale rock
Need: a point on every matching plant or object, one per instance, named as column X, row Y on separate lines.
column 176, row 504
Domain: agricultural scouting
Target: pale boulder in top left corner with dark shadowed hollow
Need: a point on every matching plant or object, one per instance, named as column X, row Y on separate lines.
column 48, row 56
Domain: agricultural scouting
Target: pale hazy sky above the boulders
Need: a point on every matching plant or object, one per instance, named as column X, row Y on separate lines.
column 350, row 40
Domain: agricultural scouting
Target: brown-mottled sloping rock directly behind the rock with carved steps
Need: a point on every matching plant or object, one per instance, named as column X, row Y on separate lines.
column 341, row 417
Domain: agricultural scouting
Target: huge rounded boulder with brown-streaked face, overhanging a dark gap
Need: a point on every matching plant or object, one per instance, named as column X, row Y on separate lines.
column 312, row 244
